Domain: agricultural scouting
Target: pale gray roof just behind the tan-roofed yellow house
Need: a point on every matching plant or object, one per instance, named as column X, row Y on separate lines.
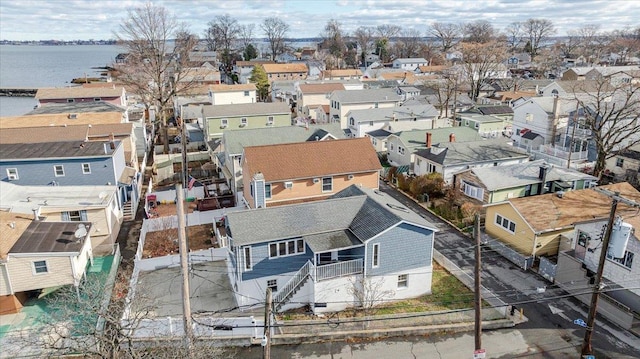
column 522, row 174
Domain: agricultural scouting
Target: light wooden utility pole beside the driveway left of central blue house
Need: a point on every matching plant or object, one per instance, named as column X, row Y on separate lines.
column 184, row 265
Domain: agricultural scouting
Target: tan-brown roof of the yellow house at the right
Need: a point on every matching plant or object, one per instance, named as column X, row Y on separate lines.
column 549, row 211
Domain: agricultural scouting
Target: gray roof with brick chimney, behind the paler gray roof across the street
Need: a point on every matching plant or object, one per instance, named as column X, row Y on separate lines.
column 471, row 152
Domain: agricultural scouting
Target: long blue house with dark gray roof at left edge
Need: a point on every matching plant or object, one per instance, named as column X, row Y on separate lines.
column 70, row 163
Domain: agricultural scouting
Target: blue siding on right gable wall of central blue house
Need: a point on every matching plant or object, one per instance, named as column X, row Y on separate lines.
column 402, row 248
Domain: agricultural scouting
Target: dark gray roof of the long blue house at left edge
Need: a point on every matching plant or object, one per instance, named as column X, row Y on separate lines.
column 27, row 151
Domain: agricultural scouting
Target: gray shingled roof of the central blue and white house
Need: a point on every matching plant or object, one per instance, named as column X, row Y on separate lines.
column 363, row 212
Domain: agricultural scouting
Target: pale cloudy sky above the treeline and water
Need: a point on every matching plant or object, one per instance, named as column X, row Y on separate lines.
column 90, row 19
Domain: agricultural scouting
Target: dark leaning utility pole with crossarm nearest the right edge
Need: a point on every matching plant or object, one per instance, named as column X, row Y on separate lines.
column 615, row 196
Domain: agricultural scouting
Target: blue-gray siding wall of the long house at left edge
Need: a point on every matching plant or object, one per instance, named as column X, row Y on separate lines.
column 34, row 173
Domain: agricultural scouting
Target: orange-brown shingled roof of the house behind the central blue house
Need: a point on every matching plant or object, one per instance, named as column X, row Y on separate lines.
column 312, row 159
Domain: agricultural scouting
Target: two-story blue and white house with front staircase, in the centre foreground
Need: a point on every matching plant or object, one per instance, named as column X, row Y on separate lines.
column 330, row 254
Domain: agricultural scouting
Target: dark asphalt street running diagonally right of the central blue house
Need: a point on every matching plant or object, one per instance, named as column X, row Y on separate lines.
column 550, row 311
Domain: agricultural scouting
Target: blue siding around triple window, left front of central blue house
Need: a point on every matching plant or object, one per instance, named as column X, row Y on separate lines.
column 265, row 267
